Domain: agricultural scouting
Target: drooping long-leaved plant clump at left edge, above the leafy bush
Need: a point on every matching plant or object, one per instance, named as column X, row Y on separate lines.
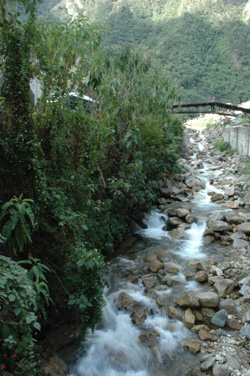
column 19, row 221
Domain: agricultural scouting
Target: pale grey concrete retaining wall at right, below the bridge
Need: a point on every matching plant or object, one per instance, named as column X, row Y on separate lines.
column 238, row 137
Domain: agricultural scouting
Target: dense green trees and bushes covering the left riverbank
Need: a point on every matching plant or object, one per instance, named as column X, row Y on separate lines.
column 71, row 177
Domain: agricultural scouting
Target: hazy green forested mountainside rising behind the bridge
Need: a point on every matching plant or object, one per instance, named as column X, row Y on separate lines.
column 204, row 44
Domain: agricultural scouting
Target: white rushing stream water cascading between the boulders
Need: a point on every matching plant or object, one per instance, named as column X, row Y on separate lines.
column 114, row 349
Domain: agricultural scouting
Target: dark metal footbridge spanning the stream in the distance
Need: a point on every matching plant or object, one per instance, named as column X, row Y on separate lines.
column 210, row 107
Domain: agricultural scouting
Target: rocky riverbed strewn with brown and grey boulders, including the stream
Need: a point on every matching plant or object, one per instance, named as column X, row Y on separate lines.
column 200, row 330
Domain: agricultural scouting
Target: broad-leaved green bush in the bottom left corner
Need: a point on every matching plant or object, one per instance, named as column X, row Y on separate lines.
column 22, row 300
